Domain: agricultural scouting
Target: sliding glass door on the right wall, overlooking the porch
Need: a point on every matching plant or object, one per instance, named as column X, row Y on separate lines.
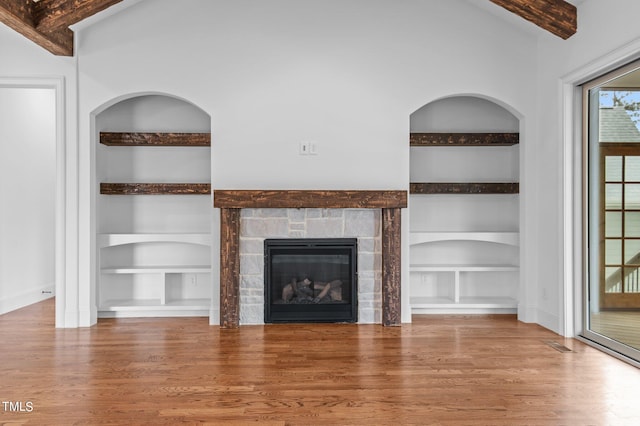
column 612, row 211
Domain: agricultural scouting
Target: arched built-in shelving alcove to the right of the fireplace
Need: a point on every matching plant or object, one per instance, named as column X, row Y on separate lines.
column 464, row 207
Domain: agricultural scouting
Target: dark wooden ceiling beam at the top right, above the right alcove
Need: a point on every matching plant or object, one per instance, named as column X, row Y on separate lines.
column 556, row 16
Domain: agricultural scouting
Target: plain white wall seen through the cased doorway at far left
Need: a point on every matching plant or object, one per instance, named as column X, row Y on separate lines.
column 27, row 194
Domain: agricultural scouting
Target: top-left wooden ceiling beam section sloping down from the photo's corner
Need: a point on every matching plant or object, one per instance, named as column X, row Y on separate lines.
column 18, row 14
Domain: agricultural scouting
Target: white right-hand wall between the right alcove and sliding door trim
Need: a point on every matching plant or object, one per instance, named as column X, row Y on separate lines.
column 607, row 35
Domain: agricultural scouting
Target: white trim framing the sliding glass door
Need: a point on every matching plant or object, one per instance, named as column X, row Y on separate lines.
column 572, row 291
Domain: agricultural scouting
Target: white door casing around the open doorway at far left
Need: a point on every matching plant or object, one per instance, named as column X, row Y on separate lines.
column 57, row 84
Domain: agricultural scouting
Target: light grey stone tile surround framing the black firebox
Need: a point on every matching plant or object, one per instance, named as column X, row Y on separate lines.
column 257, row 225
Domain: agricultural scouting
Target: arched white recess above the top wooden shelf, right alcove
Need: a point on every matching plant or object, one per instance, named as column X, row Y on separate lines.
column 463, row 114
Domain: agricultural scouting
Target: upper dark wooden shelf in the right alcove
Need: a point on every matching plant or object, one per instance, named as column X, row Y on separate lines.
column 464, row 139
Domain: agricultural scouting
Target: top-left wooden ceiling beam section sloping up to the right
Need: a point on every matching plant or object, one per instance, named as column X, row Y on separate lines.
column 53, row 15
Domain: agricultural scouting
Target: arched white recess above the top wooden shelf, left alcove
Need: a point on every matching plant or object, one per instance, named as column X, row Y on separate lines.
column 153, row 113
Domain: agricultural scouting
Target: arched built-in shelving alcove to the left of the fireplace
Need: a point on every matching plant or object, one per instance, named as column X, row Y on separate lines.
column 153, row 209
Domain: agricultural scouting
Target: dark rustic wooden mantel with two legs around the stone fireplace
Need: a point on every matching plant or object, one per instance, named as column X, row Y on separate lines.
column 231, row 202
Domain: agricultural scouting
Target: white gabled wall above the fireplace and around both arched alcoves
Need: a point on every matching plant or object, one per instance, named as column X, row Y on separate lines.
column 344, row 74
